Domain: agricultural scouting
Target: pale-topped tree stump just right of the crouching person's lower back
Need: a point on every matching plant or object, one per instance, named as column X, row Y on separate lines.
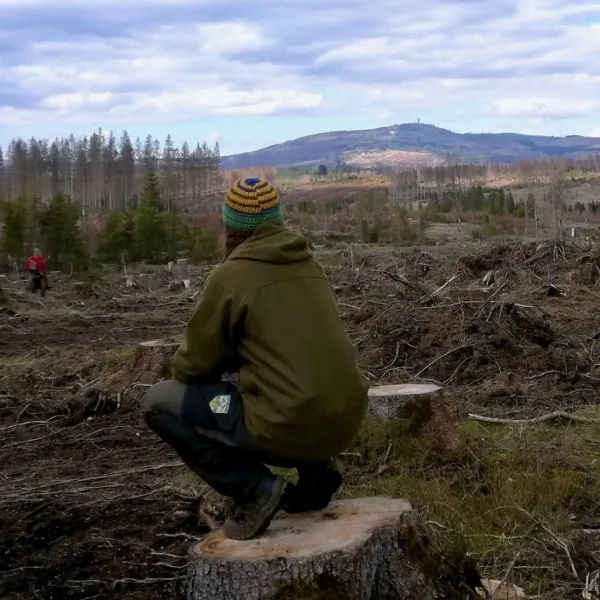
column 429, row 413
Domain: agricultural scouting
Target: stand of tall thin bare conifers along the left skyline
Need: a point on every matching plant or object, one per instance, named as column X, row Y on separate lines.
column 99, row 171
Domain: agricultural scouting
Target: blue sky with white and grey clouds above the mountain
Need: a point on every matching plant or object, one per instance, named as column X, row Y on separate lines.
column 251, row 74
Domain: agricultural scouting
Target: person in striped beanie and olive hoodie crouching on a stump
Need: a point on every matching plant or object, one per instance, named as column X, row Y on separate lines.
column 269, row 314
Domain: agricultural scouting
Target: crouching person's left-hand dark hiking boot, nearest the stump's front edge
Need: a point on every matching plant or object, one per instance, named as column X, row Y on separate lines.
column 253, row 519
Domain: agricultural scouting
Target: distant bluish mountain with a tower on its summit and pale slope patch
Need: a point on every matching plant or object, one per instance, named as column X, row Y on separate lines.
column 407, row 144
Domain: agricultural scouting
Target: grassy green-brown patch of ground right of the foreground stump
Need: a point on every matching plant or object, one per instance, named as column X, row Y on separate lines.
column 515, row 490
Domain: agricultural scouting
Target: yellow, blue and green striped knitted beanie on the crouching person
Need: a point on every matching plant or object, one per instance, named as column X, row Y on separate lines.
column 250, row 203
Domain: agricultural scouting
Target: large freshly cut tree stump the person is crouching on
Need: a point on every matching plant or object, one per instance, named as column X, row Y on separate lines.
column 371, row 548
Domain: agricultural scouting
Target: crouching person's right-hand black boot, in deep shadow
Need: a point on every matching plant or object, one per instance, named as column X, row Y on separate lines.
column 316, row 486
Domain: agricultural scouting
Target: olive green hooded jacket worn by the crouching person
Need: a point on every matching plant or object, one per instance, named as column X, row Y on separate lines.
column 270, row 313
